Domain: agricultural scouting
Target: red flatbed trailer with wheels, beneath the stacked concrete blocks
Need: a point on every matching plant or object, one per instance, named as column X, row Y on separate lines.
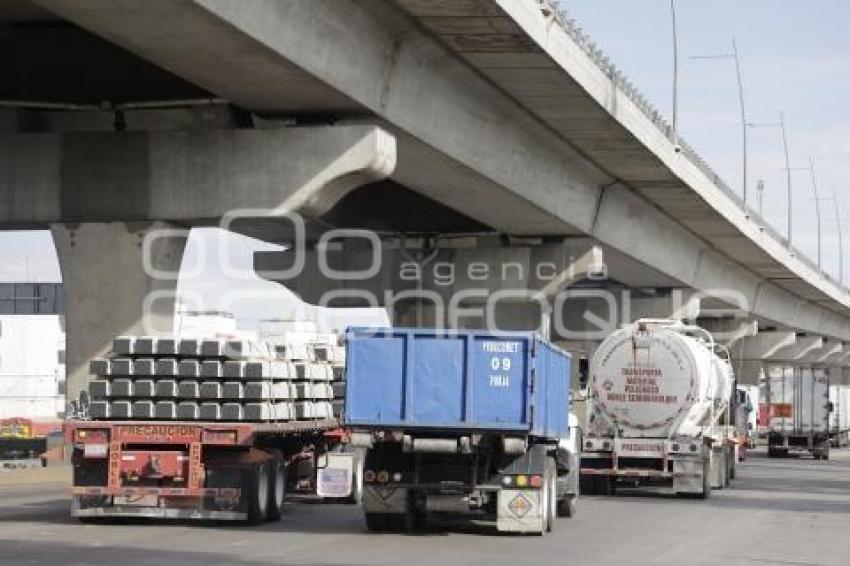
column 205, row 470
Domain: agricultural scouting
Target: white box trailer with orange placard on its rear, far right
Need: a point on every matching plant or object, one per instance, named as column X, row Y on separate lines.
column 798, row 411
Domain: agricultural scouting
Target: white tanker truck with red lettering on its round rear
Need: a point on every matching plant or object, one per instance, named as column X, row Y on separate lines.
column 658, row 411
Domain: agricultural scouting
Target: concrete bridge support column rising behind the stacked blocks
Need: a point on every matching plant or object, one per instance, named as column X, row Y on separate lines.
column 119, row 278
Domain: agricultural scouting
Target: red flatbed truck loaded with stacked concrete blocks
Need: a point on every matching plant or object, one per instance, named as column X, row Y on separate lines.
column 187, row 428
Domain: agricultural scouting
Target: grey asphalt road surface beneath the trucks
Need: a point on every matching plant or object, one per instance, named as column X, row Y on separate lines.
column 794, row 511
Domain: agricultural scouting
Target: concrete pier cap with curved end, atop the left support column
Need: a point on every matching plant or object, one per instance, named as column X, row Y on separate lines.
column 185, row 176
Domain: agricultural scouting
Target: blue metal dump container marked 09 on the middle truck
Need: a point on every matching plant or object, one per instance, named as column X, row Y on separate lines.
column 456, row 381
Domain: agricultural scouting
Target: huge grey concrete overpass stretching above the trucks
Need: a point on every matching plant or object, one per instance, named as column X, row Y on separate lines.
column 491, row 118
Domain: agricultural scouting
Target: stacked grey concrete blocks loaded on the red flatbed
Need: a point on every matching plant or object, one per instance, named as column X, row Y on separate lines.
column 171, row 378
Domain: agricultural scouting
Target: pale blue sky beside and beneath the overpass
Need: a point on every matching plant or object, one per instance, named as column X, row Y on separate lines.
column 795, row 58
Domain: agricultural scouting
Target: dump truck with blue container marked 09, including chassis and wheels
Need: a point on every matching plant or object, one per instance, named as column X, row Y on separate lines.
column 461, row 424
